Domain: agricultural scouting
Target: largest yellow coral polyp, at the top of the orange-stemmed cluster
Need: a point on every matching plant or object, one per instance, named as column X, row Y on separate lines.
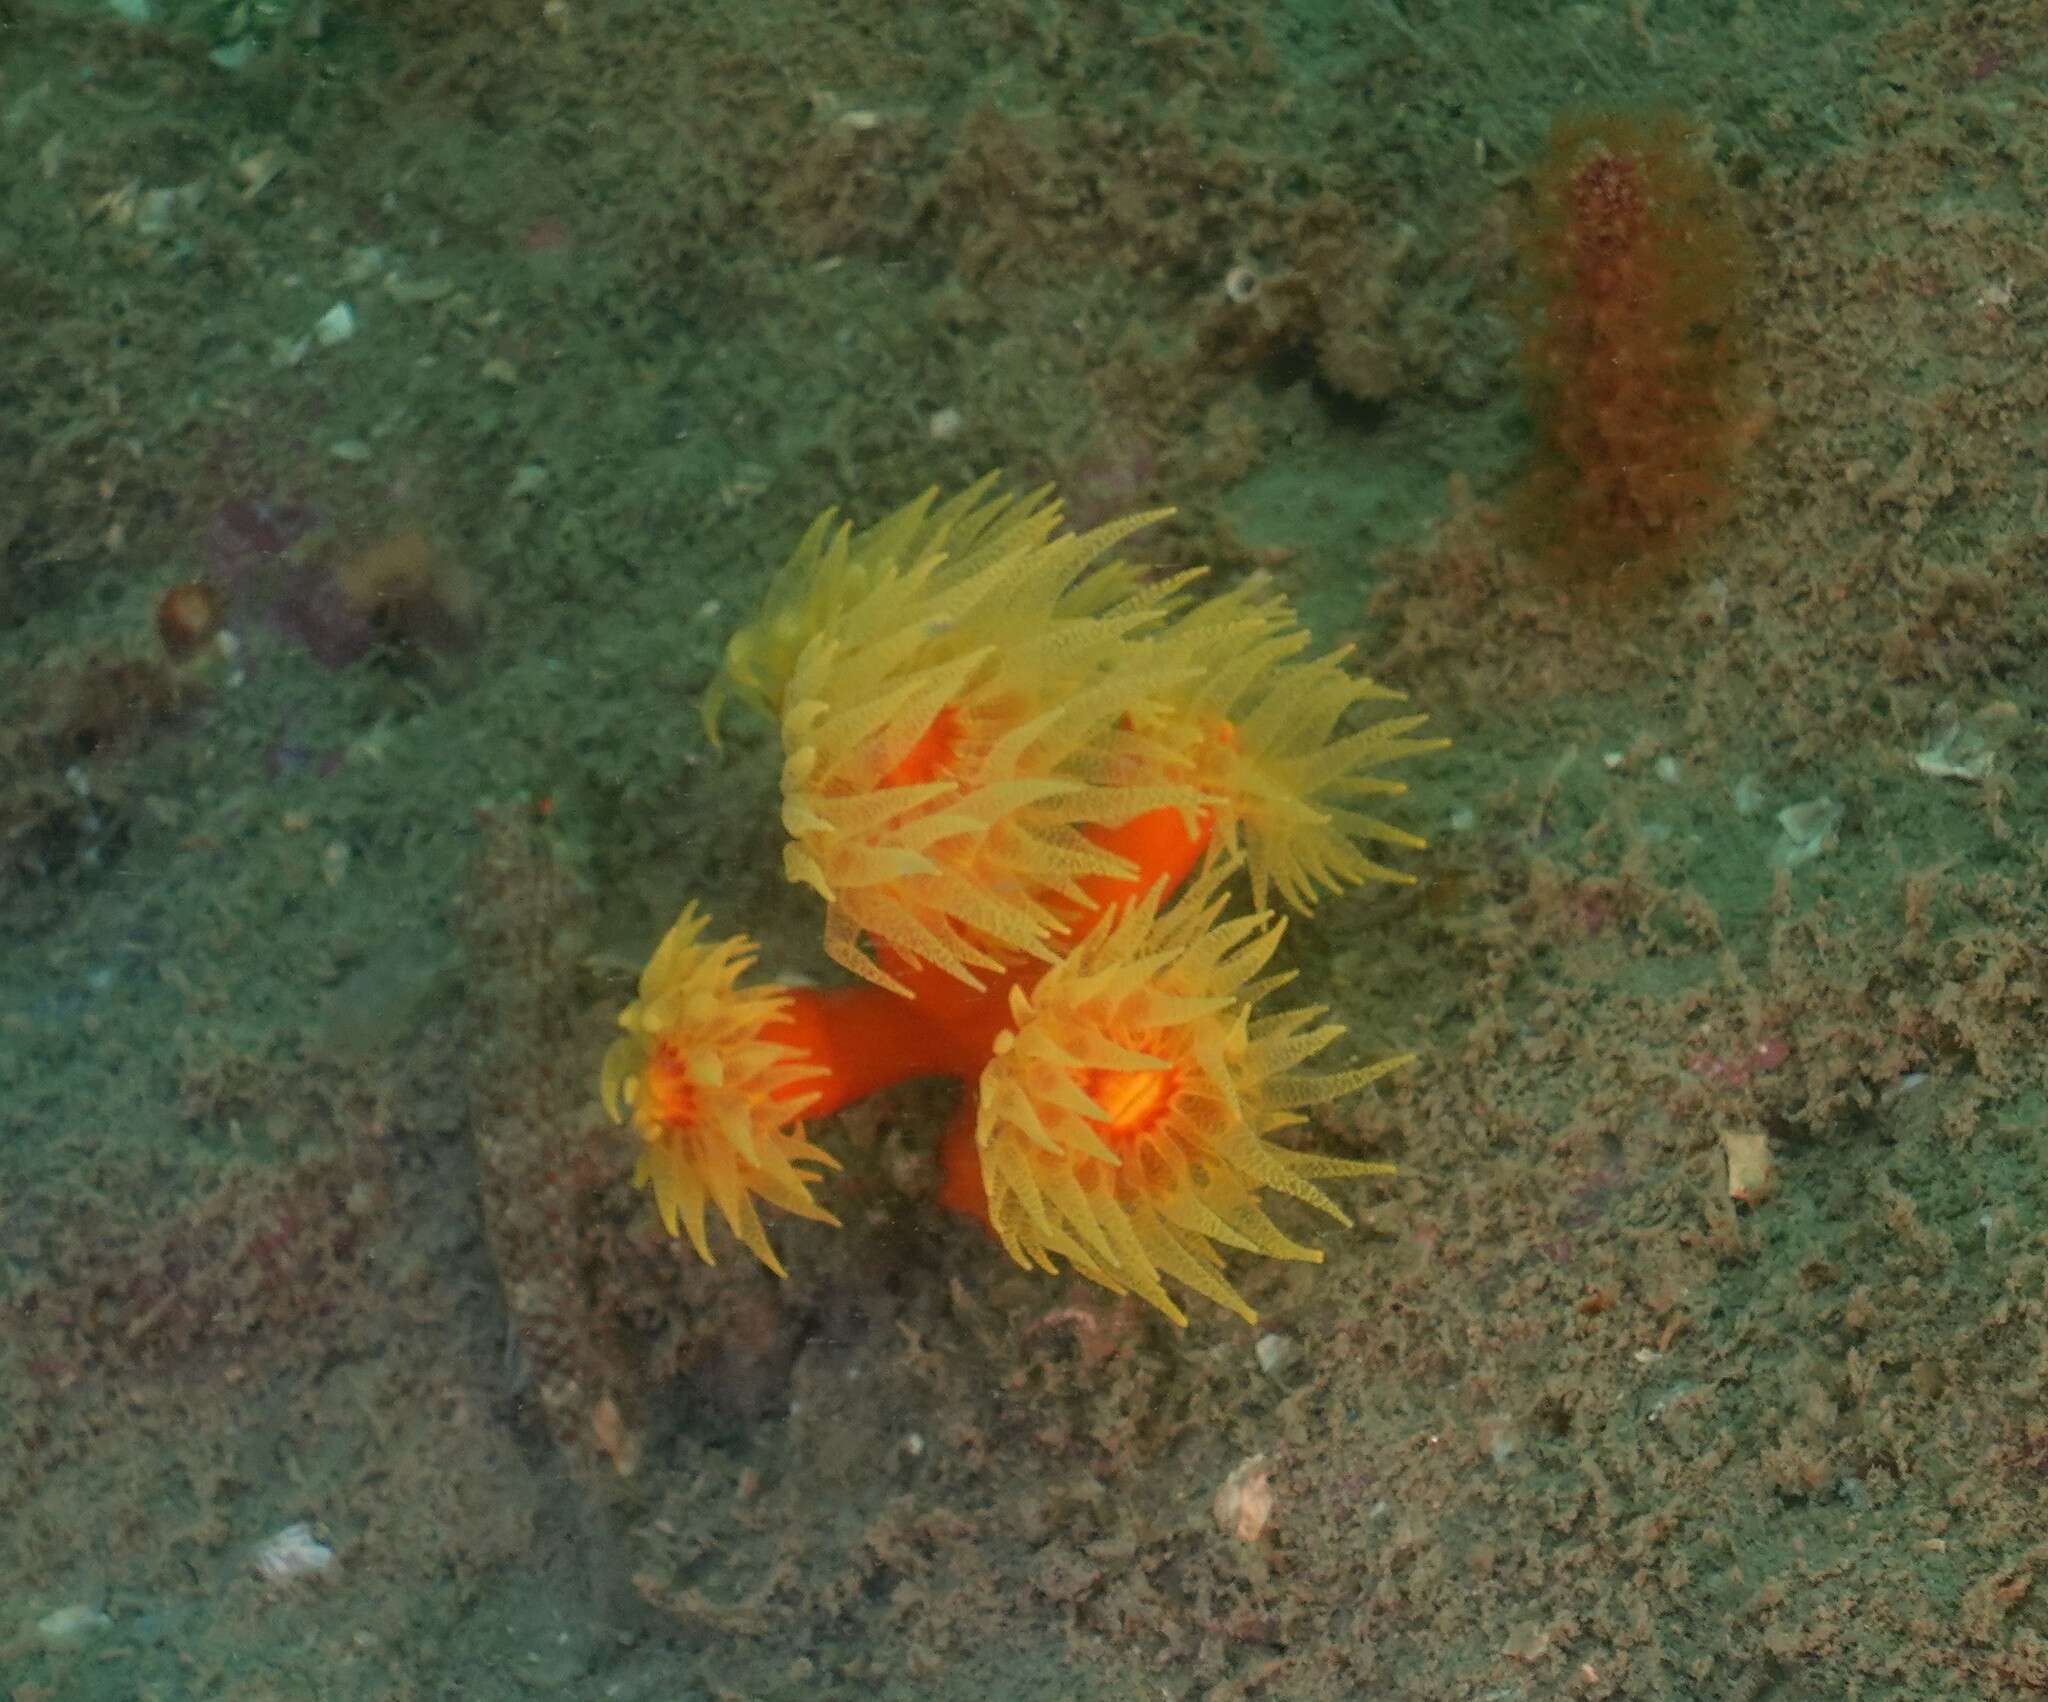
column 957, row 730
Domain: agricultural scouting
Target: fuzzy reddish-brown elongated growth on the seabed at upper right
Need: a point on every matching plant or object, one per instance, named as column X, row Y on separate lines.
column 1637, row 278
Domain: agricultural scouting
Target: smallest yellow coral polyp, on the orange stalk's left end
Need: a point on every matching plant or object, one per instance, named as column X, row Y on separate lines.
column 716, row 1103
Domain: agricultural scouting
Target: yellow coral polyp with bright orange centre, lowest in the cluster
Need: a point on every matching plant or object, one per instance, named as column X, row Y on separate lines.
column 1127, row 1117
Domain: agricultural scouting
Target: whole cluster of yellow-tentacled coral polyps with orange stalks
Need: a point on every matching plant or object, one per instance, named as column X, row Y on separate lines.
column 1025, row 783
